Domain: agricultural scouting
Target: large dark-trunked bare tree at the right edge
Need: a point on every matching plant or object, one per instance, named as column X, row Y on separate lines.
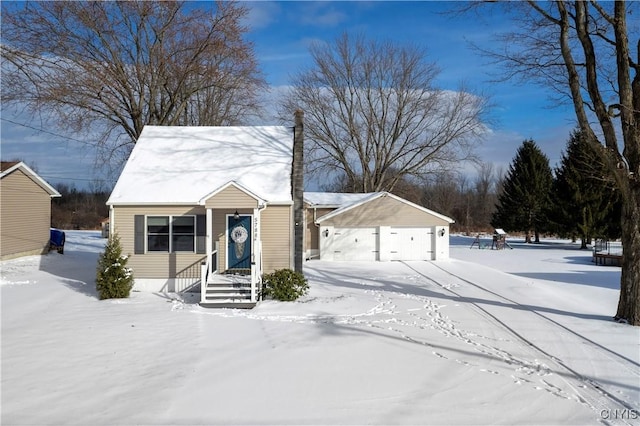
column 583, row 50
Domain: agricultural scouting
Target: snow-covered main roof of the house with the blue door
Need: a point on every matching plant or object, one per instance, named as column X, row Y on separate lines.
column 182, row 165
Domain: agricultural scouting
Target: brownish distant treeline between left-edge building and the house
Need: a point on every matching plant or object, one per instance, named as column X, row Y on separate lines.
column 78, row 209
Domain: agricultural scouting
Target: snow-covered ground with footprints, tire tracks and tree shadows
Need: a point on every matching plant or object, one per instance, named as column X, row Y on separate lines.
column 521, row 336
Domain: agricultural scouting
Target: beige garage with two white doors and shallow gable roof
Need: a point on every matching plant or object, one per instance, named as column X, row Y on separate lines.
column 377, row 226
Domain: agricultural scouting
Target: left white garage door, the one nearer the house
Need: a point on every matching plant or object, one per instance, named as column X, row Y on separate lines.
column 355, row 244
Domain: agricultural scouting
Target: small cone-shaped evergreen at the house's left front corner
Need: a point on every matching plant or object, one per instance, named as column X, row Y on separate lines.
column 113, row 280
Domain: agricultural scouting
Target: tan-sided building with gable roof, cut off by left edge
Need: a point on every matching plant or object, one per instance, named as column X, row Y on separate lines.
column 25, row 211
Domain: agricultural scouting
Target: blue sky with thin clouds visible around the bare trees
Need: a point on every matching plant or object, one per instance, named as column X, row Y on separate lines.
column 282, row 32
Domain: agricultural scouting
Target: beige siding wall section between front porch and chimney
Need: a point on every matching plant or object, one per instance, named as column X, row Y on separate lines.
column 277, row 246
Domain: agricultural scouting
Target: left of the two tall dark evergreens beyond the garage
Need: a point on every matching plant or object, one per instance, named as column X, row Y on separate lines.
column 524, row 203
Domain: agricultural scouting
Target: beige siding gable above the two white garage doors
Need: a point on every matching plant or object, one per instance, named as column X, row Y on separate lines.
column 385, row 211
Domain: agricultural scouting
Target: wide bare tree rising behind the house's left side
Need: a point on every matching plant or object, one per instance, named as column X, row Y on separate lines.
column 118, row 66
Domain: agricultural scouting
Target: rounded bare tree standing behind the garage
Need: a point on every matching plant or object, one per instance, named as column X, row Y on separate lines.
column 374, row 116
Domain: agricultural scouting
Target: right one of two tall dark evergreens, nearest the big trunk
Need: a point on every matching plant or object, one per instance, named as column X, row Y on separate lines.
column 586, row 204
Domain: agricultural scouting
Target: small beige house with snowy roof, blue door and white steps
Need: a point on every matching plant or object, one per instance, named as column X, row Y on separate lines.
column 208, row 205
